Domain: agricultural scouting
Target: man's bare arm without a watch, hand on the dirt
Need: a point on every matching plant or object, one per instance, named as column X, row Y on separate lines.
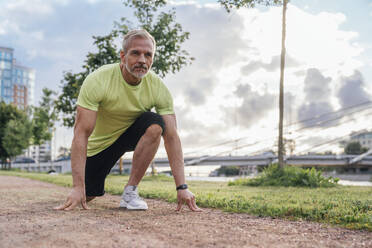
column 84, row 125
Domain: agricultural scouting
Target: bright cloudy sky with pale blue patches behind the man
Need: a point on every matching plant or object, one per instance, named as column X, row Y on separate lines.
column 230, row 92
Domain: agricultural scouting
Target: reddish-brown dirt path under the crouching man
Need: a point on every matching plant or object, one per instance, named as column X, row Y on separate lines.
column 28, row 220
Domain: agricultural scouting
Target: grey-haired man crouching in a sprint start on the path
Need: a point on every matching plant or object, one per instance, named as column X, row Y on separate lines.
column 113, row 117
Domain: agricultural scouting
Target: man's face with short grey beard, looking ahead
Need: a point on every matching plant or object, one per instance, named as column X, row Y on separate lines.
column 138, row 57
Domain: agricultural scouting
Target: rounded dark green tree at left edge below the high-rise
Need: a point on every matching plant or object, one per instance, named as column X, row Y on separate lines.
column 14, row 131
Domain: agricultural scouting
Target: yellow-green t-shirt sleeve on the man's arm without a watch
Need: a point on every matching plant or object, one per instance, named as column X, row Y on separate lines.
column 91, row 93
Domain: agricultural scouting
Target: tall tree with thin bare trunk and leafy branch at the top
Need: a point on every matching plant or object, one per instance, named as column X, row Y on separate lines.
column 228, row 4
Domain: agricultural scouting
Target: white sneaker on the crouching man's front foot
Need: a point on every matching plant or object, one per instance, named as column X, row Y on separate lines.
column 131, row 200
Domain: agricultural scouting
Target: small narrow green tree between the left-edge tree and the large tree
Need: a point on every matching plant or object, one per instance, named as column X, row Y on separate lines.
column 43, row 119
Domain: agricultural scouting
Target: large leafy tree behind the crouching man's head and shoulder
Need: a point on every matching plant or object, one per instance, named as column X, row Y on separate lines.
column 170, row 57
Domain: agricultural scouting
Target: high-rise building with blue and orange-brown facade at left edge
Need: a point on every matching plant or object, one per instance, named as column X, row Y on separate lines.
column 17, row 82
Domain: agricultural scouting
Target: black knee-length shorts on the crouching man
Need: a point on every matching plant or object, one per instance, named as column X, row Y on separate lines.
column 97, row 167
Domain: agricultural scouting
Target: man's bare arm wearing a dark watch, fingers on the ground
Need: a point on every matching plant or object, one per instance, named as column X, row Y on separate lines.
column 173, row 147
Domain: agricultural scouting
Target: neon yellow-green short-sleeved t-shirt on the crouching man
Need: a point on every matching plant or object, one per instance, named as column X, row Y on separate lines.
column 119, row 104
